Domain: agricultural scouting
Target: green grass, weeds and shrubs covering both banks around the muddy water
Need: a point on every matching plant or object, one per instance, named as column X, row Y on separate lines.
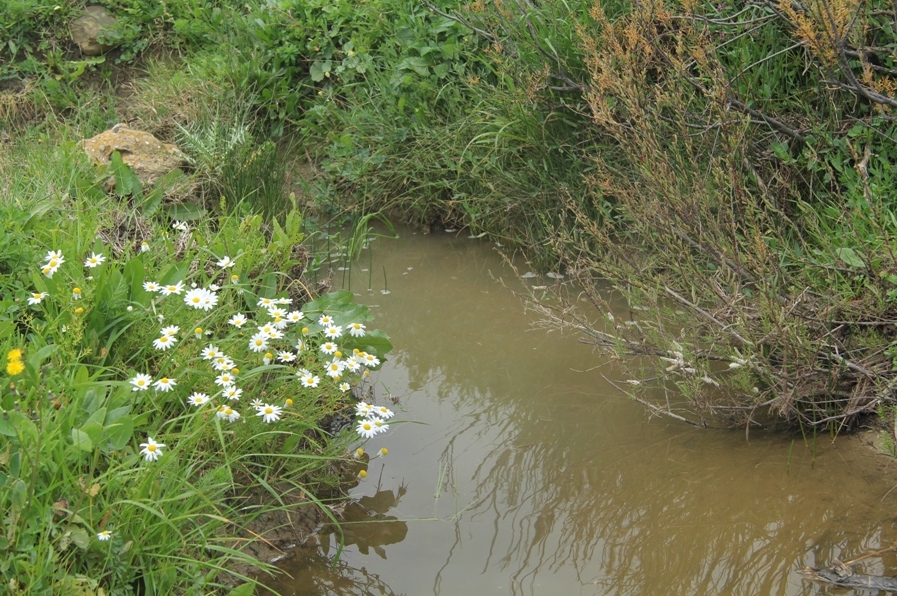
column 724, row 167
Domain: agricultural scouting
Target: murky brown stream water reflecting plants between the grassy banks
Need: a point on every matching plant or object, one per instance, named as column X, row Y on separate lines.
column 529, row 474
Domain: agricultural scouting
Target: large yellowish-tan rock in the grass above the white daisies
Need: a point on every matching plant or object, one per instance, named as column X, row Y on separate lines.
column 149, row 157
